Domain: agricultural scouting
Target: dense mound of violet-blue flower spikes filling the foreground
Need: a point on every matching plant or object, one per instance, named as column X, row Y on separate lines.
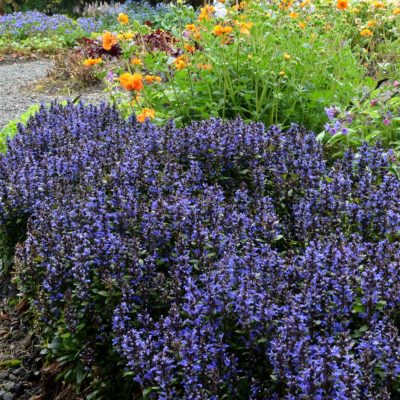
column 220, row 260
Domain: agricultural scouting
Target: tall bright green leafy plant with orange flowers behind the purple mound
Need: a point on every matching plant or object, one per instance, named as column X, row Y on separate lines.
column 264, row 66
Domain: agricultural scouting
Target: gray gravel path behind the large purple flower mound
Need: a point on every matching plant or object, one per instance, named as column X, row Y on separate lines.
column 16, row 89
